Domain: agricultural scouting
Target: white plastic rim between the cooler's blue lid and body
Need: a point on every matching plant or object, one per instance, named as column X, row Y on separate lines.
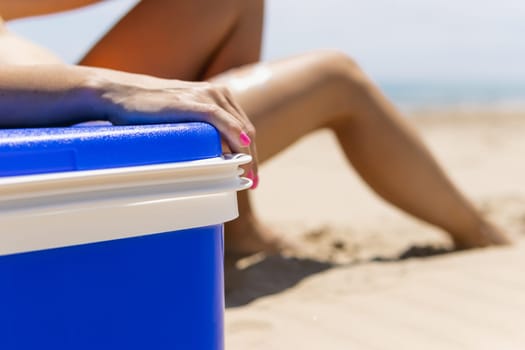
column 71, row 208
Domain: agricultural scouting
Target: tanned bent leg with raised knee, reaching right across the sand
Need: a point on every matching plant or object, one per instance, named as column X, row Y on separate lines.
column 288, row 99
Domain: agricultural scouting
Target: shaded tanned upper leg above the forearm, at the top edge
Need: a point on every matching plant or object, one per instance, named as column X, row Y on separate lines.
column 188, row 40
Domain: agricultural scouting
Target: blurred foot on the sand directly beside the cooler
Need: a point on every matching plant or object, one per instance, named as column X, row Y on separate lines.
column 246, row 236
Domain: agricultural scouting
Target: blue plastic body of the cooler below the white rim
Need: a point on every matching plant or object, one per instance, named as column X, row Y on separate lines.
column 163, row 291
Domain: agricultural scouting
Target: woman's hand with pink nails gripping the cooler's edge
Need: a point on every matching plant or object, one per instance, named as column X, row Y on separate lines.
column 147, row 100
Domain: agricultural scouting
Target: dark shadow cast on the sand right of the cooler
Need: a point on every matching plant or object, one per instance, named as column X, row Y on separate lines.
column 275, row 274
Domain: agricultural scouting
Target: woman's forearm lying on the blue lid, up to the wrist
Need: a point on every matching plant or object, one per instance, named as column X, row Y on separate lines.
column 44, row 95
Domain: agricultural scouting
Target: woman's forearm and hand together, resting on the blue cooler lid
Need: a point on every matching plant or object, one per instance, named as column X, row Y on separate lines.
column 59, row 94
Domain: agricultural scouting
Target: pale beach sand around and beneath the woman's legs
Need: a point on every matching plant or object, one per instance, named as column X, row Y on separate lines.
column 366, row 276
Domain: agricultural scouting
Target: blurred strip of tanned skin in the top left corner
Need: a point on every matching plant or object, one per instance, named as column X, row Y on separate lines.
column 11, row 9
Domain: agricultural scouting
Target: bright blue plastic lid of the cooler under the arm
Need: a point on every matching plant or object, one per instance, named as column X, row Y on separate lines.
column 47, row 150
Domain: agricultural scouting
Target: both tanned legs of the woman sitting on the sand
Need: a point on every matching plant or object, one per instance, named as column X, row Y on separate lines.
column 320, row 90
